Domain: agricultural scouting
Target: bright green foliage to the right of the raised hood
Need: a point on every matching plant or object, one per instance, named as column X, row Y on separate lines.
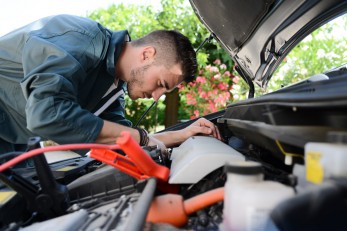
column 322, row 50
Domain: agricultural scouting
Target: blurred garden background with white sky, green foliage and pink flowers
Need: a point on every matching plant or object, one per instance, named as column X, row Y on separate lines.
column 217, row 83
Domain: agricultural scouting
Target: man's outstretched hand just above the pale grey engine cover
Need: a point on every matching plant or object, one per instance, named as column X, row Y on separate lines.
column 202, row 127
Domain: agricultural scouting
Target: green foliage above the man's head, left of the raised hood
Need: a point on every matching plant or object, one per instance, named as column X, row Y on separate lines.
column 172, row 14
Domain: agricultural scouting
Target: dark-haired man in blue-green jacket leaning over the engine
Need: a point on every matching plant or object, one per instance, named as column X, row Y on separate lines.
column 62, row 78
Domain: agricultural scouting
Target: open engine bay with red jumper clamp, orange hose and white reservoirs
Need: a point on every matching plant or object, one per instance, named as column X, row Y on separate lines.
column 274, row 170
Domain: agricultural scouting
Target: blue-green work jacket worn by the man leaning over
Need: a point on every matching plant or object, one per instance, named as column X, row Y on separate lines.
column 53, row 75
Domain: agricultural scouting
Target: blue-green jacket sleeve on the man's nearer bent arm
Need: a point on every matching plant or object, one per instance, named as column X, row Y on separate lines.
column 50, row 86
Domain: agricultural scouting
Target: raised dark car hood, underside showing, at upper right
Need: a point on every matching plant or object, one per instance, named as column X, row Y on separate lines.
column 258, row 34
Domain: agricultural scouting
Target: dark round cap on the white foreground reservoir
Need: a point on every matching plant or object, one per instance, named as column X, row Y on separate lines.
column 243, row 168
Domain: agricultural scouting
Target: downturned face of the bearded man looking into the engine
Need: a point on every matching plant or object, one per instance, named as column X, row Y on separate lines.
column 152, row 81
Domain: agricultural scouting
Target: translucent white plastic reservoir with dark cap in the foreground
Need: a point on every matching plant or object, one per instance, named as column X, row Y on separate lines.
column 249, row 199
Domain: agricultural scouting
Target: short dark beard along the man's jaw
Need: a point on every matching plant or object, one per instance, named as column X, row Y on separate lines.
column 136, row 81
